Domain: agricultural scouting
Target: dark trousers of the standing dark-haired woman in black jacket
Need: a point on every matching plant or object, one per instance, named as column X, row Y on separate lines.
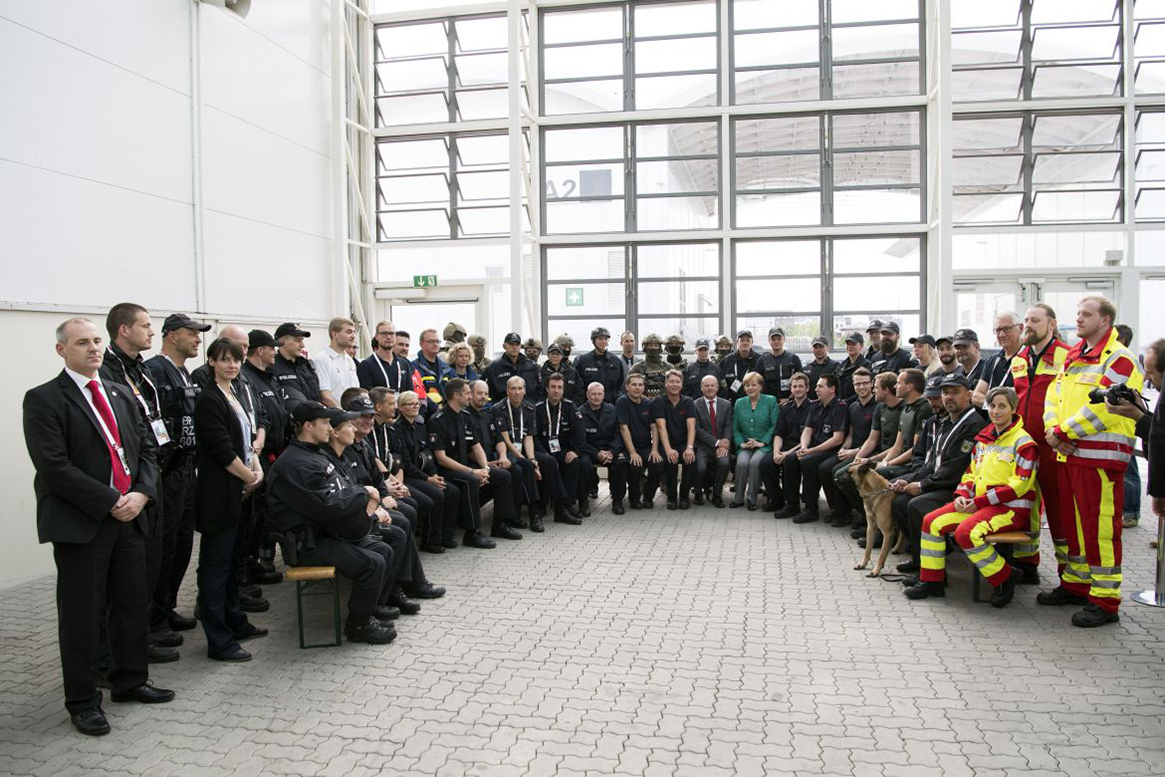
column 218, row 590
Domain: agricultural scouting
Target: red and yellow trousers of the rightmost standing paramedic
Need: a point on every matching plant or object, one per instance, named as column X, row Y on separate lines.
column 1097, row 499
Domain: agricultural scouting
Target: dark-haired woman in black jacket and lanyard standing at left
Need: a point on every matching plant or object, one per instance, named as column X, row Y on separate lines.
column 229, row 472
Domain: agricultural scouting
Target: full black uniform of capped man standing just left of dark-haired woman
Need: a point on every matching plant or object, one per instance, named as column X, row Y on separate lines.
column 176, row 394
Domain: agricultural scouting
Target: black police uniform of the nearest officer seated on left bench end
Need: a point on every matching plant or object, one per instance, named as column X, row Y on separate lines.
column 313, row 507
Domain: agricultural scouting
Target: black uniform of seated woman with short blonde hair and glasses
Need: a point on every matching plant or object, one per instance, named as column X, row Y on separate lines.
column 411, row 448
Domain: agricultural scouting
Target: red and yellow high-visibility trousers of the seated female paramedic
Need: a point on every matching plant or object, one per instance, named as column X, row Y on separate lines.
column 969, row 532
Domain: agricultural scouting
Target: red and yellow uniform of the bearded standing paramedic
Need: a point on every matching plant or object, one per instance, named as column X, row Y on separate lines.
column 1033, row 373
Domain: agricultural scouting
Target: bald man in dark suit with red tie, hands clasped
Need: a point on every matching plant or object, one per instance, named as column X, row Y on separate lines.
column 96, row 472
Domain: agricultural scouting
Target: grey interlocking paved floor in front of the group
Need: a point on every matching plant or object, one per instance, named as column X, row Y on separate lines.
column 709, row 642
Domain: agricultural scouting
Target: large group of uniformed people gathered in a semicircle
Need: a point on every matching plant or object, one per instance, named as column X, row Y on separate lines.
column 368, row 465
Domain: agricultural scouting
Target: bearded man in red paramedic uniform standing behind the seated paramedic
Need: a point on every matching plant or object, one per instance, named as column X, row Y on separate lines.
column 1033, row 371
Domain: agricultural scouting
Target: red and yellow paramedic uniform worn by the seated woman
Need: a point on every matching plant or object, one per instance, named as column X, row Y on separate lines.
column 1002, row 482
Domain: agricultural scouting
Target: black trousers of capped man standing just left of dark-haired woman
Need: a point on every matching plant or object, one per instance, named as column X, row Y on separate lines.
column 178, row 538
